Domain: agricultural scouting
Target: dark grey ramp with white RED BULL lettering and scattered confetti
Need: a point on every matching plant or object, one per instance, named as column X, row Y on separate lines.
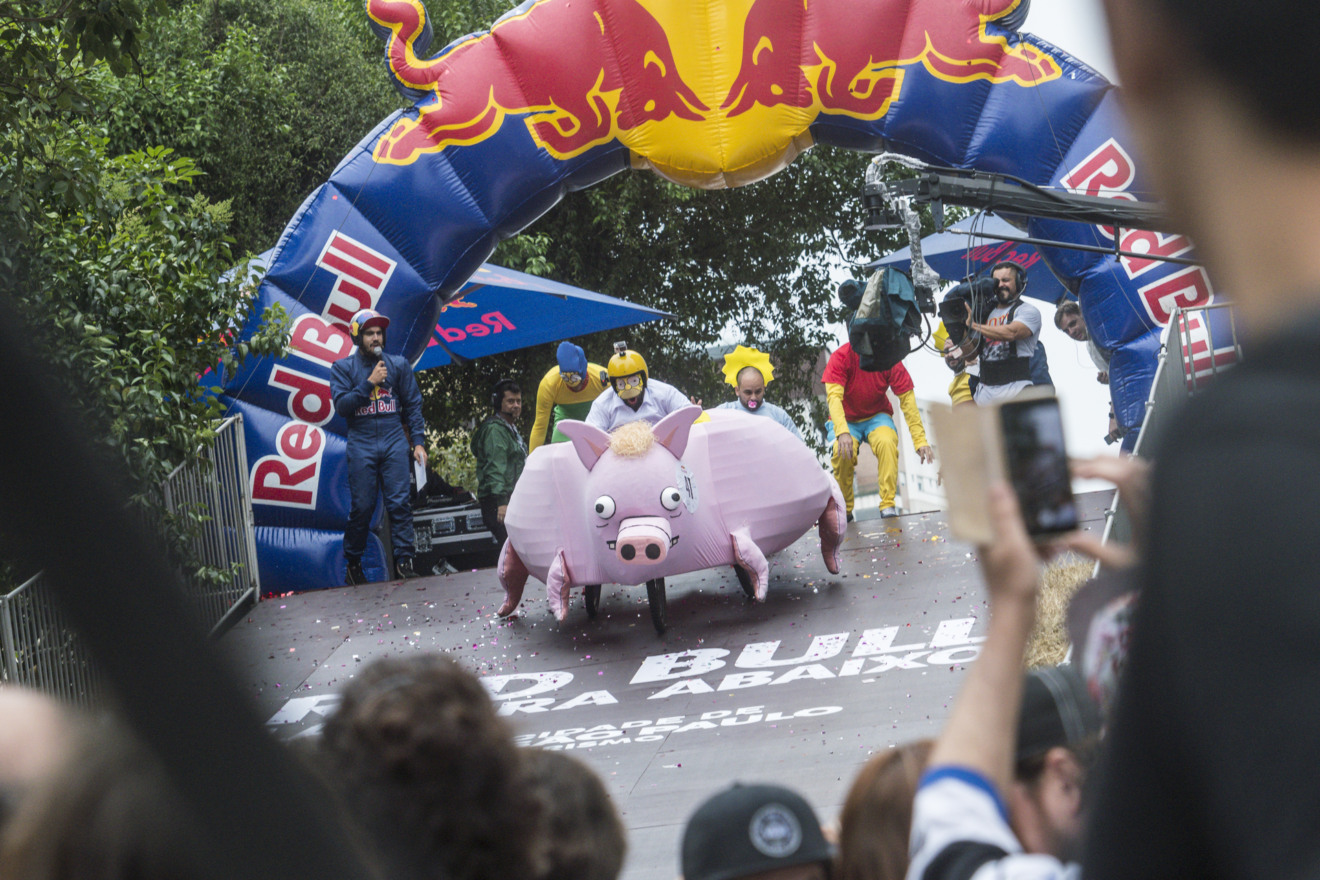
column 799, row 691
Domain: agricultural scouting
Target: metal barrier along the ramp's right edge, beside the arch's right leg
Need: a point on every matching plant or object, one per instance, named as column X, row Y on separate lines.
column 1202, row 344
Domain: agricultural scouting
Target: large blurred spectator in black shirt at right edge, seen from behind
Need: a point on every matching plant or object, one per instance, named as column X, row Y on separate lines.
column 1210, row 766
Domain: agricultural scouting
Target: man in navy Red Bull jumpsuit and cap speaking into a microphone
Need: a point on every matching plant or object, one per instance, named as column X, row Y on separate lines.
column 378, row 396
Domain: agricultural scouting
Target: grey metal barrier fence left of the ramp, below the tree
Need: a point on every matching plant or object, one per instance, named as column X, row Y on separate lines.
column 43, row 652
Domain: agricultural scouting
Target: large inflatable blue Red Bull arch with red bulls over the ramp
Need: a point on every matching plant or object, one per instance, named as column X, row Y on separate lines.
column 562, row 94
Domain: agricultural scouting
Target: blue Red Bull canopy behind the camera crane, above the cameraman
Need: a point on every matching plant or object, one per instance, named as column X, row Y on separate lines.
column 956, row 257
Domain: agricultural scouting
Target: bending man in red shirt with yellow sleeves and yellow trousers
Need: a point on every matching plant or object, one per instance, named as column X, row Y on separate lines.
column 860, row 411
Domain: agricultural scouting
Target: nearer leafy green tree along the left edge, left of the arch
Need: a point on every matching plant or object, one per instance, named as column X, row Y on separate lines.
column 112, row 259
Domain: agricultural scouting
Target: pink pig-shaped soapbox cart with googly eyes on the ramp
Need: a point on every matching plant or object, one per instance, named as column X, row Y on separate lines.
column 646, row 503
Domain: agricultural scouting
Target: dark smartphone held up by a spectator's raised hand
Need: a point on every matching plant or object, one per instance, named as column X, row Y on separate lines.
column 1038, row 465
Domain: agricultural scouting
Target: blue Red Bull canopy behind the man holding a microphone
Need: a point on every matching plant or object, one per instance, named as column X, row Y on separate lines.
column 501, row 311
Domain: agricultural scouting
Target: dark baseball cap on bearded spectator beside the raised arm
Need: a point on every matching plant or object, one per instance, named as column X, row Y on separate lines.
column 1057, row 710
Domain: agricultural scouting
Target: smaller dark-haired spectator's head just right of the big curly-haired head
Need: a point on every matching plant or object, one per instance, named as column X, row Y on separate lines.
column 587, row 840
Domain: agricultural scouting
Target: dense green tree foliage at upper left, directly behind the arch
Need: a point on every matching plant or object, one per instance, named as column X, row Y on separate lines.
column 266, row 97
